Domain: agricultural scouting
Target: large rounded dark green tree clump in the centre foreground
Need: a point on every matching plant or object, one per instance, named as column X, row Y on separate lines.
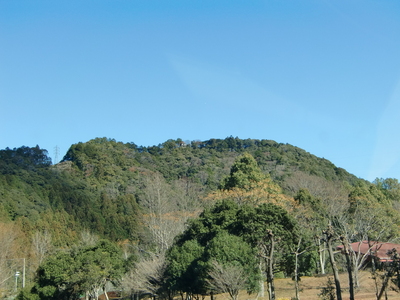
column 220, row 228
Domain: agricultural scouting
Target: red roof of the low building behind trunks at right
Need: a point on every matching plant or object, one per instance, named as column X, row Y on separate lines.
column 378, row 249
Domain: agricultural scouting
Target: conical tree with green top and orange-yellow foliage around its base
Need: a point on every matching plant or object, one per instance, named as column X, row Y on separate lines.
column 246, row 184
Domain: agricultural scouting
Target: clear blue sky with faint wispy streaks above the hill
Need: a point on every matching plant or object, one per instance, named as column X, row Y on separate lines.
column 323, row 75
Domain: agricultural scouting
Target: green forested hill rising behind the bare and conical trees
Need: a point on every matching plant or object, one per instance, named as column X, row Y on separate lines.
column 101, row 184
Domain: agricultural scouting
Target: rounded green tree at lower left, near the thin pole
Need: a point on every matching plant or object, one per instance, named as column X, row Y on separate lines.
column 69, row 274
